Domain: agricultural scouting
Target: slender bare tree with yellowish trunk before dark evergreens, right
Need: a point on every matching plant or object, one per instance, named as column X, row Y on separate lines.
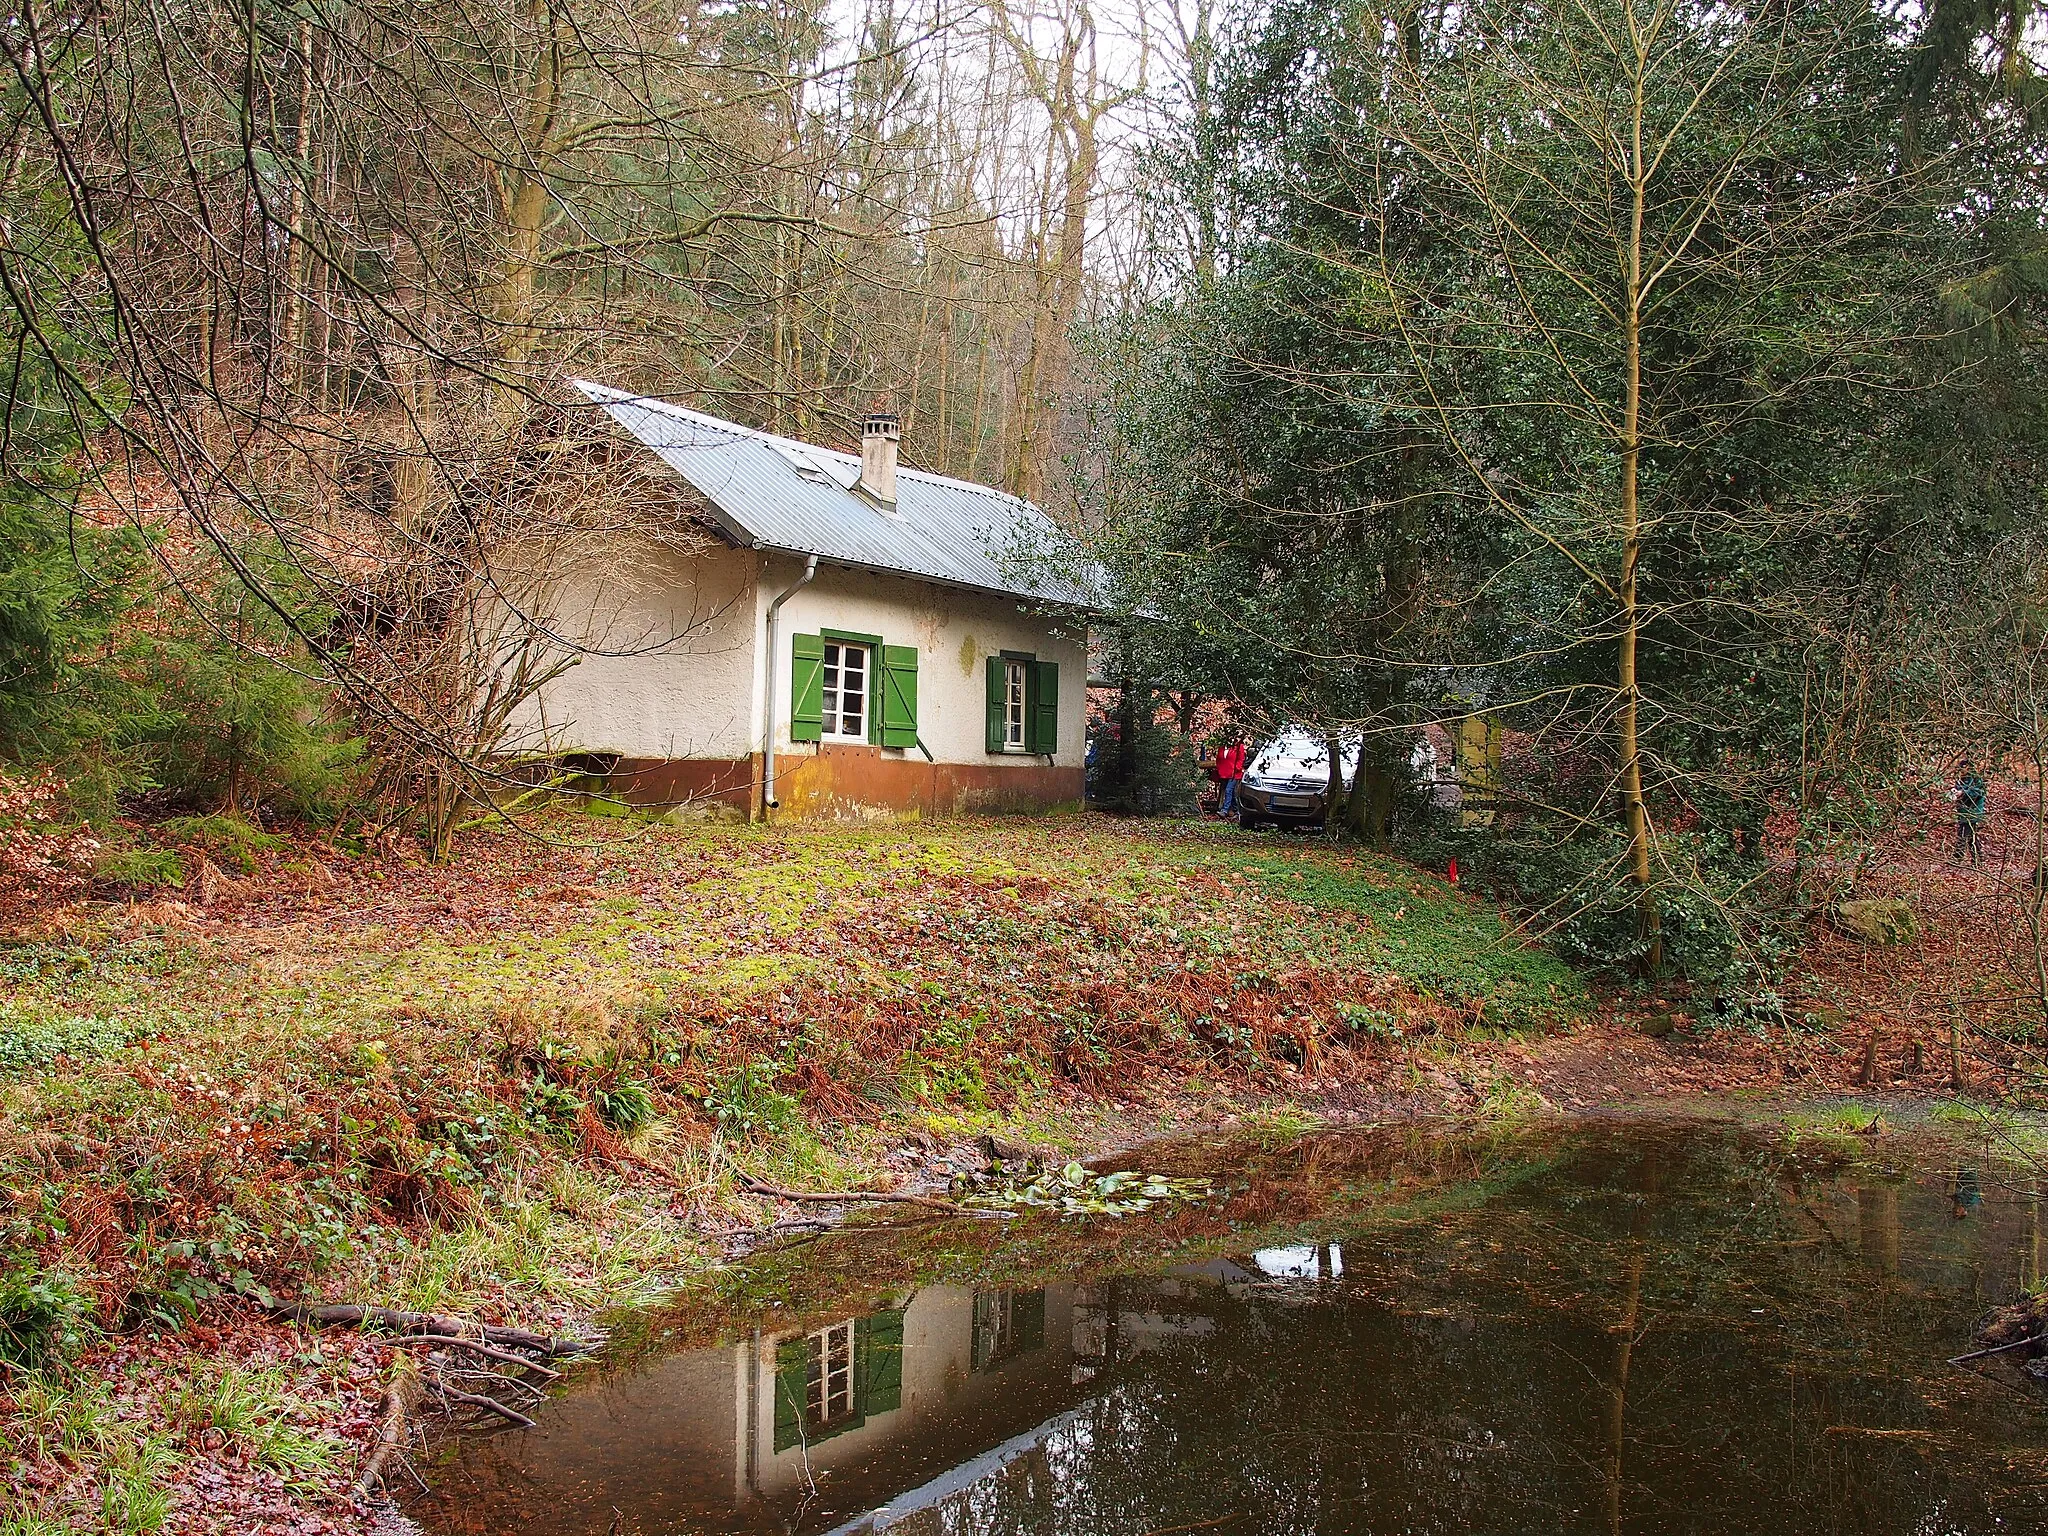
column 1617, row 218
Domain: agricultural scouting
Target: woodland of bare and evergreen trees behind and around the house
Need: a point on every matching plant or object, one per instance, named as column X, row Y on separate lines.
column 1660, row 380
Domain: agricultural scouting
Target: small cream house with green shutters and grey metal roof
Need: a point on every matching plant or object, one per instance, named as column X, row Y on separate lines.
column 851, row 638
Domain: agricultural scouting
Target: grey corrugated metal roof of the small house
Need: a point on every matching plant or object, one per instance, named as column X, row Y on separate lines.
column 779, row 495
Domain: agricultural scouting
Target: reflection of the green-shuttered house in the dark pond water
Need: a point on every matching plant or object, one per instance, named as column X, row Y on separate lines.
column 869, row 1422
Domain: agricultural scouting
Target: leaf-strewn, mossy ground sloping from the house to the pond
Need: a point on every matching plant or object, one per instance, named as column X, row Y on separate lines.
column 538, row 1082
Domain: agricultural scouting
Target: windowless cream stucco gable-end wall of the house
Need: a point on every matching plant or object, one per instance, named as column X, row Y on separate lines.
column 687, row 687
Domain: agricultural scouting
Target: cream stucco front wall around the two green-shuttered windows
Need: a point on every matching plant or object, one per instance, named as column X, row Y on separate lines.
column 955, row 634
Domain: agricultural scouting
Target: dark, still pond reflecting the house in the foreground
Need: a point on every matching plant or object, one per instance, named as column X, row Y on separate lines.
column 1678, row 1328
